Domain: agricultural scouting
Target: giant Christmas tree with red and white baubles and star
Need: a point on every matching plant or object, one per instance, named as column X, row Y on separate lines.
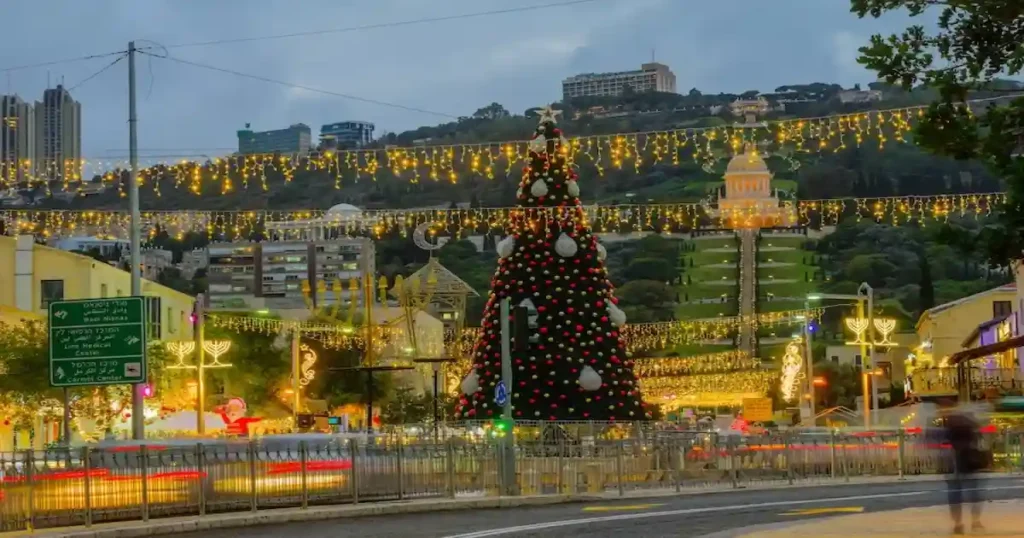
column 576, row 367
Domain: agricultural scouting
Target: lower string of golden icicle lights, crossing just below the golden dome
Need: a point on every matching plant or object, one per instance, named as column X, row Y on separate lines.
column 243, row 226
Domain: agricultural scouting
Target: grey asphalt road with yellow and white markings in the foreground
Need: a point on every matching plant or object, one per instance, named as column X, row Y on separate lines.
column 691, row 516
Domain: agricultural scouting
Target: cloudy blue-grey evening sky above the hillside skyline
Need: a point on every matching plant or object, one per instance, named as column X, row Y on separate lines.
column 451, row 68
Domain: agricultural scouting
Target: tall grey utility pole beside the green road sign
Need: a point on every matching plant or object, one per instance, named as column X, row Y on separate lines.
column 138, row 394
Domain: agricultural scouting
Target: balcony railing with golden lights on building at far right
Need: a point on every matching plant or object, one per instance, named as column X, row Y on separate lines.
column 948, row 382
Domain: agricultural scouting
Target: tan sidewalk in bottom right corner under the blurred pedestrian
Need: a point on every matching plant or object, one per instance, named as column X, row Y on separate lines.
column 1000, row 518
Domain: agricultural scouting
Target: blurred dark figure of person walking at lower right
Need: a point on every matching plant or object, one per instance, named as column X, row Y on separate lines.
column 961, row 433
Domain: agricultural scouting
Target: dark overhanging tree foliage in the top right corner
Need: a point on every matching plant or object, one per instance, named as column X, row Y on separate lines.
column 975, row 44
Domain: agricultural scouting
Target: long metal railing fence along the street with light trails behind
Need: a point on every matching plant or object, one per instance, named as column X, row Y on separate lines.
column 87, row 486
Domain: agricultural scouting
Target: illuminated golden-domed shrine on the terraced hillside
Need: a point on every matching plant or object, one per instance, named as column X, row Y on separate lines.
column 749, row 201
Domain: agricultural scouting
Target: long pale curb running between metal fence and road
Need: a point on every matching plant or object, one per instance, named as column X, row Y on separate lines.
column 286, row 516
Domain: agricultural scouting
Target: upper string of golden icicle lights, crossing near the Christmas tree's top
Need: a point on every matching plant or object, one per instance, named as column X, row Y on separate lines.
column 222, row 176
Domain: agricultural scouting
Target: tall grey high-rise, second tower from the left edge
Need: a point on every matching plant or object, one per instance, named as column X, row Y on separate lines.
column 59, row 136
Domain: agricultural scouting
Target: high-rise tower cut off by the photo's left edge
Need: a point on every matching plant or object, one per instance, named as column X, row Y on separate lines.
column 18, row 139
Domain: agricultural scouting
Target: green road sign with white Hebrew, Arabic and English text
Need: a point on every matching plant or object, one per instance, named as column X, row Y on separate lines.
column 98, row 343
